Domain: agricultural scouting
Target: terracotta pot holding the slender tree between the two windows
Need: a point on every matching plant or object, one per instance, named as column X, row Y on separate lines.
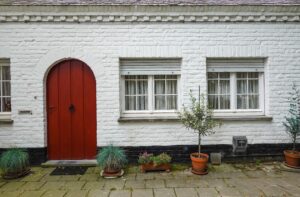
column 199, row 164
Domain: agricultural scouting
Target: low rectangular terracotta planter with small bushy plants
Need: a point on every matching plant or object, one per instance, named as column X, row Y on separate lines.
column 149, row 162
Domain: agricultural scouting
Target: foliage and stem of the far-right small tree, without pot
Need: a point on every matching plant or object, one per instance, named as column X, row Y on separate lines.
column 292, row 120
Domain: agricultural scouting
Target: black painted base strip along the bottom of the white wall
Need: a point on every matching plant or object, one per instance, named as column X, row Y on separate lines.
column 181, row 153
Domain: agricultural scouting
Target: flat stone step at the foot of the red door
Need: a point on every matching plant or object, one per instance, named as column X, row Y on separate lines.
column 54, row 163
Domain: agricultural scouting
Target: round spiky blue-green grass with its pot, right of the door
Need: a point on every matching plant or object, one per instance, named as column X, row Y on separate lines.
column 112, row 160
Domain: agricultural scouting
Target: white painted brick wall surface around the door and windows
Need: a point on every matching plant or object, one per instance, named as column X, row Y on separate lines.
column 33, row 48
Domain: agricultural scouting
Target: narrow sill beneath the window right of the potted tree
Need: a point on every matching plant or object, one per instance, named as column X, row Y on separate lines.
column 244, row 118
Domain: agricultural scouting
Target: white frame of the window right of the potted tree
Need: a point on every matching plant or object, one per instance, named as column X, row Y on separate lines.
column 233, row 99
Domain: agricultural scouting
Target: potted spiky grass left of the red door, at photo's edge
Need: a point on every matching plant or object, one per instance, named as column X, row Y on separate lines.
column 14, row 163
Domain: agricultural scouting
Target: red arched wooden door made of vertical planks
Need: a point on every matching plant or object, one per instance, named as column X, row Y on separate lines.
column 71, row 111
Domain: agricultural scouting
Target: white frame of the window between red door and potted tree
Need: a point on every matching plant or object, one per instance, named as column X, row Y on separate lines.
column 151, row 112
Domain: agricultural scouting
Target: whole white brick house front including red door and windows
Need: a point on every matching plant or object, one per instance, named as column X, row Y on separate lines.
column 77, row 76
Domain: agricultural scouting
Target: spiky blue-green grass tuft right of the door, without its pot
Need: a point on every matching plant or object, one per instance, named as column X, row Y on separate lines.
column 112, row 158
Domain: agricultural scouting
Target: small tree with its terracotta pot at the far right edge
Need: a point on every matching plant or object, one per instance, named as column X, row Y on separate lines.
column 292, row 125
